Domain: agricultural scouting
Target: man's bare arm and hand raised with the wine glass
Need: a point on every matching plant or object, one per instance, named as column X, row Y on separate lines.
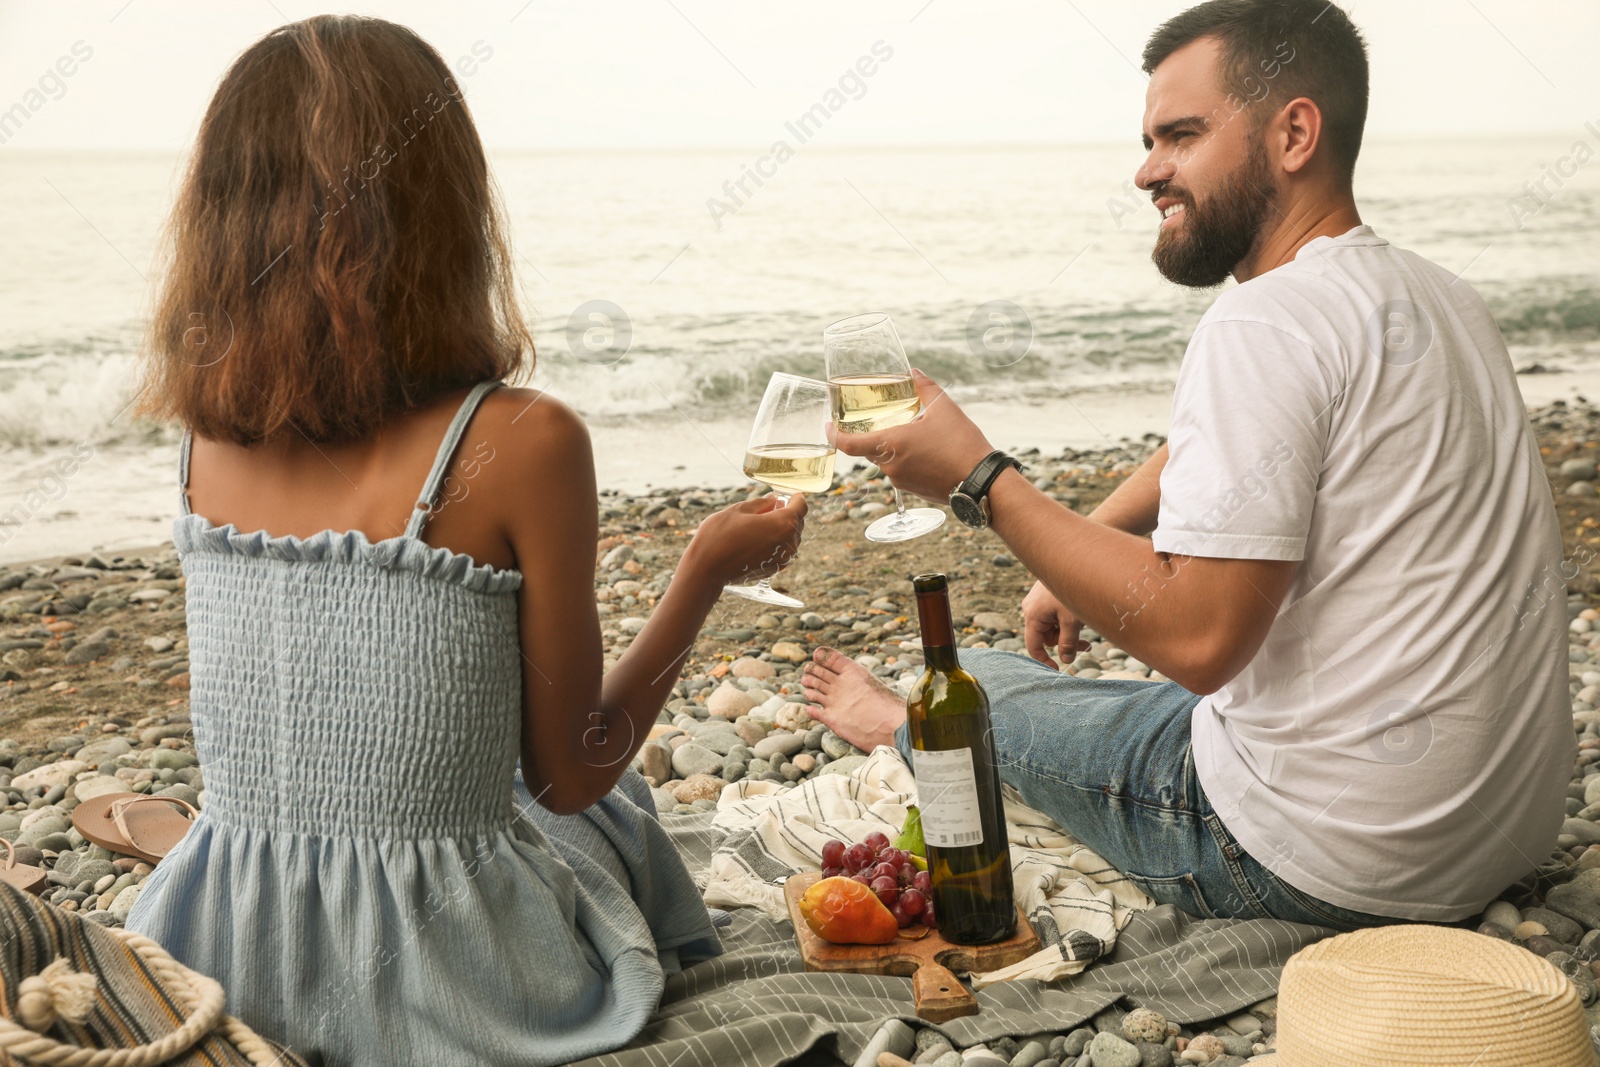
column 1196, row 620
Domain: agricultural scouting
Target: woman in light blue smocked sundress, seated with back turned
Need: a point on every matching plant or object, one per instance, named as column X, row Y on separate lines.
column 369, row 665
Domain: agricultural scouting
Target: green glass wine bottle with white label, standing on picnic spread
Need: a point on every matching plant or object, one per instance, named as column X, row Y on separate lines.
column 958, row 785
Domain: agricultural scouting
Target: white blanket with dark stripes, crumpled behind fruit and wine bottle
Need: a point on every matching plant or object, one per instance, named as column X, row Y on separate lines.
column 1074, row 900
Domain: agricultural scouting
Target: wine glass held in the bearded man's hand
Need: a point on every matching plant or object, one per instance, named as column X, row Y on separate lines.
column 870, row 380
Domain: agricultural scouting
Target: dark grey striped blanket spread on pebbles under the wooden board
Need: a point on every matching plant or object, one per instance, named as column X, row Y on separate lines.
column 758, row 1007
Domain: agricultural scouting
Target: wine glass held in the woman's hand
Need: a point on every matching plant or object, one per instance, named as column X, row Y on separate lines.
column 790, row 452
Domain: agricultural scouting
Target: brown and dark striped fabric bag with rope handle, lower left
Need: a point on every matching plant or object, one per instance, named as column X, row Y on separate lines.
column 134, row 1002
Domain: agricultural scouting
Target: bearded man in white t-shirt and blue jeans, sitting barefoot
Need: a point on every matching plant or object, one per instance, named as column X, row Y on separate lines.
column 1353, row 556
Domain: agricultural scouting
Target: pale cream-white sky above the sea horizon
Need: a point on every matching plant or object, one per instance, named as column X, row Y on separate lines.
column 730, row 73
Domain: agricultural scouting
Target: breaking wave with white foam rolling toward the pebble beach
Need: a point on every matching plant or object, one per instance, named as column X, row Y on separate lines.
column 60, row 393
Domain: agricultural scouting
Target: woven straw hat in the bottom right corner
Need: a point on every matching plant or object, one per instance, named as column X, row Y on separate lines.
column 1415, row 996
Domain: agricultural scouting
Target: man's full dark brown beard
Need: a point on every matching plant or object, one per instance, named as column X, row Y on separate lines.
column 1218, row 233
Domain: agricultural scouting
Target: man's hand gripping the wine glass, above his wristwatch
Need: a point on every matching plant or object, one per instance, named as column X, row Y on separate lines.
column 932, row 454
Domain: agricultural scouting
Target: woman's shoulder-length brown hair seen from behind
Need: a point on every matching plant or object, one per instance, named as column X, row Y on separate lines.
column 338, row 254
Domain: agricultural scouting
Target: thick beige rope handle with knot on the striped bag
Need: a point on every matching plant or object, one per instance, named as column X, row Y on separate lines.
column 70, row 996
